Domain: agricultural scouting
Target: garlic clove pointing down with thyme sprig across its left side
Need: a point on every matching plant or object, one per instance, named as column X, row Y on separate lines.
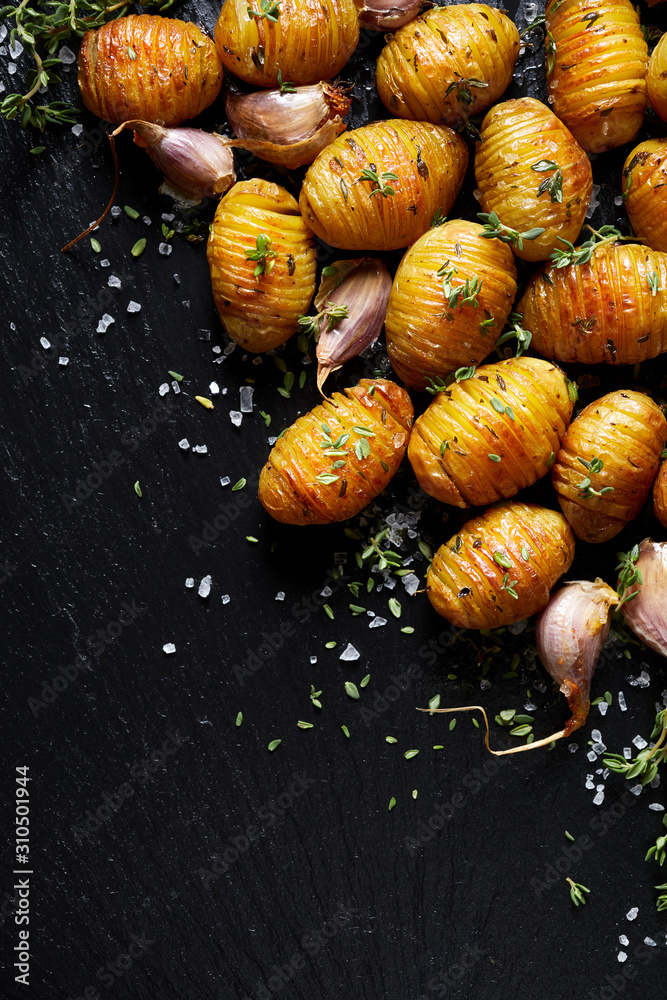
column 363, row 285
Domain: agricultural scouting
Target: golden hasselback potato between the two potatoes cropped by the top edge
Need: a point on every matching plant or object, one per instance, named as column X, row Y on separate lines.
column 448, row 64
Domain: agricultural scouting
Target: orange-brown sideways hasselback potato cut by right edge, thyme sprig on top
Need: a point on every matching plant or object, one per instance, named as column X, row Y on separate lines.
column 604, row 310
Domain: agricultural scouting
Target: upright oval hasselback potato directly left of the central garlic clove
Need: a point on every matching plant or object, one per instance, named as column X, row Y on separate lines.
column 260, row 288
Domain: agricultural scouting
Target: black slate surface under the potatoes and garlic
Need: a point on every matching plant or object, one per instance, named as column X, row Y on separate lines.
column 173, row 856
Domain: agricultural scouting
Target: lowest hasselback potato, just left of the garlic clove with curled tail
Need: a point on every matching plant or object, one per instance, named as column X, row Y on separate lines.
column 465, row 584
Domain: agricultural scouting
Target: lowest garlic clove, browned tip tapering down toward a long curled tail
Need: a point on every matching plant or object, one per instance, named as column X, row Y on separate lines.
column 569, row 635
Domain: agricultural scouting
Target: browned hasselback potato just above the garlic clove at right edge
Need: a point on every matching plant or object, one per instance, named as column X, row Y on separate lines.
column 627, row 431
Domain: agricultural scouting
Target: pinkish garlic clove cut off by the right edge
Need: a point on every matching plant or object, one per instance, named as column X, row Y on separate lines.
column 646, row 614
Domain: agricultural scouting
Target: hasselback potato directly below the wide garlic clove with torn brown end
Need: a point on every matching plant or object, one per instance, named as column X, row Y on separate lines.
column 379, row 186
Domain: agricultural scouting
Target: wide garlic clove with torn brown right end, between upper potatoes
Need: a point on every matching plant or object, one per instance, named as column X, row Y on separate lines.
column 288, row 129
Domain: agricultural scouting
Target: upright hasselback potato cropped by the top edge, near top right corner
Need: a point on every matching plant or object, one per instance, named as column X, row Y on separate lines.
column 597, row 73
